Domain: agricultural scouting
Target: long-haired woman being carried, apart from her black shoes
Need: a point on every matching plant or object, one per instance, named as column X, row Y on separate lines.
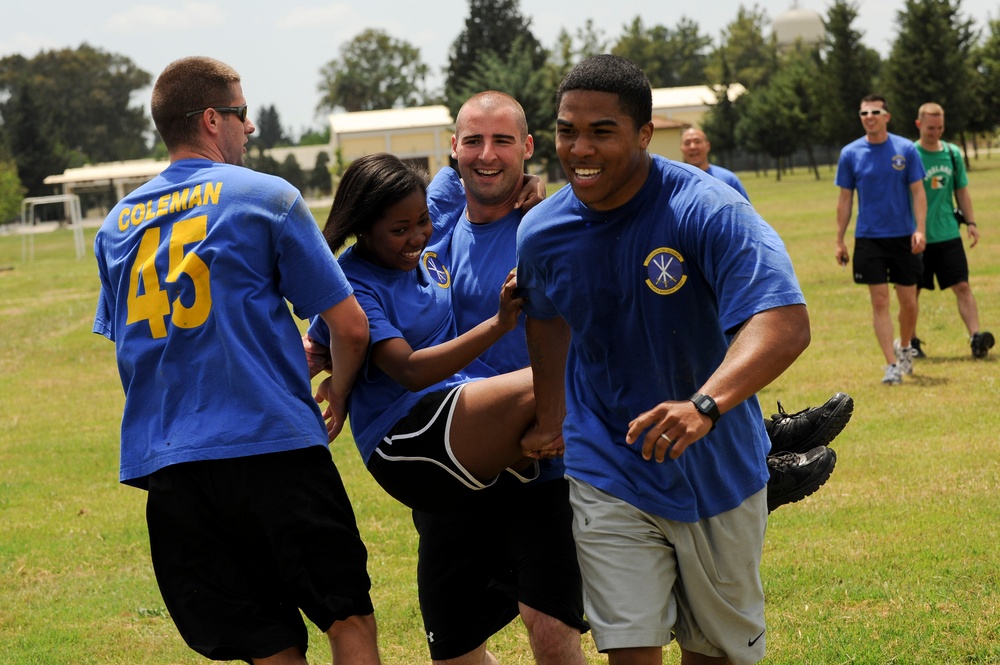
column 435, row 426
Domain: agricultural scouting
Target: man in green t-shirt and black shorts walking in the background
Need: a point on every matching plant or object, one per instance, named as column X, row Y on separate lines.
column 945, row 255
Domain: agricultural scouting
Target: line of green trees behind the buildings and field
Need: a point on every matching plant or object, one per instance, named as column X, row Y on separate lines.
column 71, row 107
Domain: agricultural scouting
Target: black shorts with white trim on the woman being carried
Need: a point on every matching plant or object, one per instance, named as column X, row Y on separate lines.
column 415, row 465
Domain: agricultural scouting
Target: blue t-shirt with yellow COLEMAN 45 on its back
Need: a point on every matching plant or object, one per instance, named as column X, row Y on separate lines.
column 196, row 266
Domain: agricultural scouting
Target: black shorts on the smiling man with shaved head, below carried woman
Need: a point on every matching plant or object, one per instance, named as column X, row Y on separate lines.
column 473, row 569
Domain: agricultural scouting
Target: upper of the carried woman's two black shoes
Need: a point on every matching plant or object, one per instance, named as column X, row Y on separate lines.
column 811, row 427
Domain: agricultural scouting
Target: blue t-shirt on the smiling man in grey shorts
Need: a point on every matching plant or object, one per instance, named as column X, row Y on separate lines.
column 651, row 291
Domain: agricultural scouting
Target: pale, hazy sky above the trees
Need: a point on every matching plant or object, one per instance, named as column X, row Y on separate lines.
column 279, row 48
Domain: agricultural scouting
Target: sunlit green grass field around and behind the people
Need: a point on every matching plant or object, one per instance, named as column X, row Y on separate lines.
column 894, row 561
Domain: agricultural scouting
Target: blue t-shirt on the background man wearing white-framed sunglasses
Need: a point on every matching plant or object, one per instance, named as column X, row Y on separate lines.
column 882, row 174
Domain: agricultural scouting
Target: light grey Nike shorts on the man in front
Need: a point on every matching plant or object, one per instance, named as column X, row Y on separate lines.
column 699, row 582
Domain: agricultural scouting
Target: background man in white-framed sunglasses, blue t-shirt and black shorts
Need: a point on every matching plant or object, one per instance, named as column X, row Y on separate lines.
column 886, row 171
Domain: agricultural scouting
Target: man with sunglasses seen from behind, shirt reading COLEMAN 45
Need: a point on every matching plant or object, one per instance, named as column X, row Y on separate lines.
column 248, row 519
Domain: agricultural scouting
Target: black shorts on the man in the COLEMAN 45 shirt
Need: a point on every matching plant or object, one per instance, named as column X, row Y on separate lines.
column 240, row 545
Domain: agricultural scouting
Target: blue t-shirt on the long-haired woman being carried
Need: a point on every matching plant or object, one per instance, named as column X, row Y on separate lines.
column 414, row 305
